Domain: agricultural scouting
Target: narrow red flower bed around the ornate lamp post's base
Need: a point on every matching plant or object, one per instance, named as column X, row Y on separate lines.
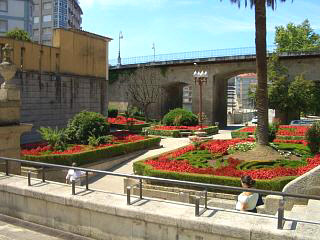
column 175, row 131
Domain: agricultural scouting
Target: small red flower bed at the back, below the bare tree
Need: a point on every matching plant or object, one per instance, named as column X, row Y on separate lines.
column 132, row 124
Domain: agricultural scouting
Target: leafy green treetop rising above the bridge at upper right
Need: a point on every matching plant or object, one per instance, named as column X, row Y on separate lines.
column 297, row 38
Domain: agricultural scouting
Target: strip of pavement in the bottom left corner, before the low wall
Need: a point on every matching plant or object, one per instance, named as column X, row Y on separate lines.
column 16, row 229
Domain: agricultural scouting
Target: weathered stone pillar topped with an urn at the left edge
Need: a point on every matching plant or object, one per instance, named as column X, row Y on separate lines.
column 10, row 127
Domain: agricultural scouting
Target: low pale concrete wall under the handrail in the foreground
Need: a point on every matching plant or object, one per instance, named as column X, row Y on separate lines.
column 106, row 216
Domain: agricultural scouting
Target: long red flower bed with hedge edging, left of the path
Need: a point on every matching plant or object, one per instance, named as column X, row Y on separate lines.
column 83, row 154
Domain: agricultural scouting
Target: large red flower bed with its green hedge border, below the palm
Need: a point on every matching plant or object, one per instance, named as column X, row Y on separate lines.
column 273, row 178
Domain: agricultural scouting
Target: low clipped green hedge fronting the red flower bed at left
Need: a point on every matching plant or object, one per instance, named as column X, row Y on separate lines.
column 97, row 154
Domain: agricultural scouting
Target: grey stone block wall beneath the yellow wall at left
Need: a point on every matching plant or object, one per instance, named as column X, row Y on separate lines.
column 51, row 100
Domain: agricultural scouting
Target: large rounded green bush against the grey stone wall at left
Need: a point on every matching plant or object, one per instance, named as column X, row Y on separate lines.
column 86, row 124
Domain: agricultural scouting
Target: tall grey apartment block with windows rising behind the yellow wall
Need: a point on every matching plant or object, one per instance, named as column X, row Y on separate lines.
column 50, row 14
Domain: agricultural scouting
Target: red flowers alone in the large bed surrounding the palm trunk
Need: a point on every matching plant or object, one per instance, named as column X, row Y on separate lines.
column 168, row 163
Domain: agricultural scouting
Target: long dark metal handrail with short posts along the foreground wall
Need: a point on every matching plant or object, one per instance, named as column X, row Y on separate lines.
column 204, row 186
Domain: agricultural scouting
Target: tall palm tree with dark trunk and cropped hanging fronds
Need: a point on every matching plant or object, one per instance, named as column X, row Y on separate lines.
column 261, row 65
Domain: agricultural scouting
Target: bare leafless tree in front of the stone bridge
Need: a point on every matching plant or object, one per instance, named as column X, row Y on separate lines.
column 143, row 87
